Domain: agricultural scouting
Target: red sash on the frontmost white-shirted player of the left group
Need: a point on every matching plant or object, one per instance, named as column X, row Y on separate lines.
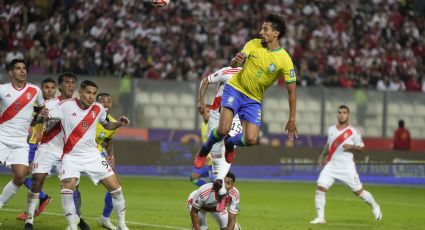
column 81, row 129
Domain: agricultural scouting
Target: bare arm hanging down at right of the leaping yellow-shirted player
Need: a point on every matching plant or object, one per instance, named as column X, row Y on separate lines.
column 290, row 127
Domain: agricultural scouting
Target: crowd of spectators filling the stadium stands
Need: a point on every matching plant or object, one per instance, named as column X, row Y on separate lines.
column 357, row 43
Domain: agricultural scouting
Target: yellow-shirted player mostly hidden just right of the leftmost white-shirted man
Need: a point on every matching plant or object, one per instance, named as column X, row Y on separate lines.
column 48, row 89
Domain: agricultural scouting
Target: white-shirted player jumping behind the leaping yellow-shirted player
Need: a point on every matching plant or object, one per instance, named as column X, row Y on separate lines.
column 220, row 77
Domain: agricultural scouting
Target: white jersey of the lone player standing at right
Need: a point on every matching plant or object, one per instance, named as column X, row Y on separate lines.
column 337, row 138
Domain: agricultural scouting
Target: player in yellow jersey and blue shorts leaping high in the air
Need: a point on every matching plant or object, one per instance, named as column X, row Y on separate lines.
column 264, row 62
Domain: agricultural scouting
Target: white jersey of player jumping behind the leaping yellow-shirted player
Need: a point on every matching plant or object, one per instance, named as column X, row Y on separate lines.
column 220, row 77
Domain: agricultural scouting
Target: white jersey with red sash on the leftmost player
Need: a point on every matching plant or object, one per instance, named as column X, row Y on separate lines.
column 17, row 107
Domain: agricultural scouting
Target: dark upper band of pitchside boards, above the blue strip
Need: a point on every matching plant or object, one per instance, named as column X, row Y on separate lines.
column 176, row 153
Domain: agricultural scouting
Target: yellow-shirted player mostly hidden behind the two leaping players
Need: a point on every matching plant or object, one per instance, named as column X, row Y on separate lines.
column 198, row 175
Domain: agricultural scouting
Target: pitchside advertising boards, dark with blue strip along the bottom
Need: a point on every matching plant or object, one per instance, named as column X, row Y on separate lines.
column 265, row 162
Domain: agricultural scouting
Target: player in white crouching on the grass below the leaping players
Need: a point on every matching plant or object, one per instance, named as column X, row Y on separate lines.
column 204, row 200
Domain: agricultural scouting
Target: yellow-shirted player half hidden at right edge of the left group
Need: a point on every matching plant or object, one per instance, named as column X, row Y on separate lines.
column 104, row 144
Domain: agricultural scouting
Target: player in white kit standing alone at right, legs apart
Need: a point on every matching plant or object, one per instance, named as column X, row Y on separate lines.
column 343, row 141
